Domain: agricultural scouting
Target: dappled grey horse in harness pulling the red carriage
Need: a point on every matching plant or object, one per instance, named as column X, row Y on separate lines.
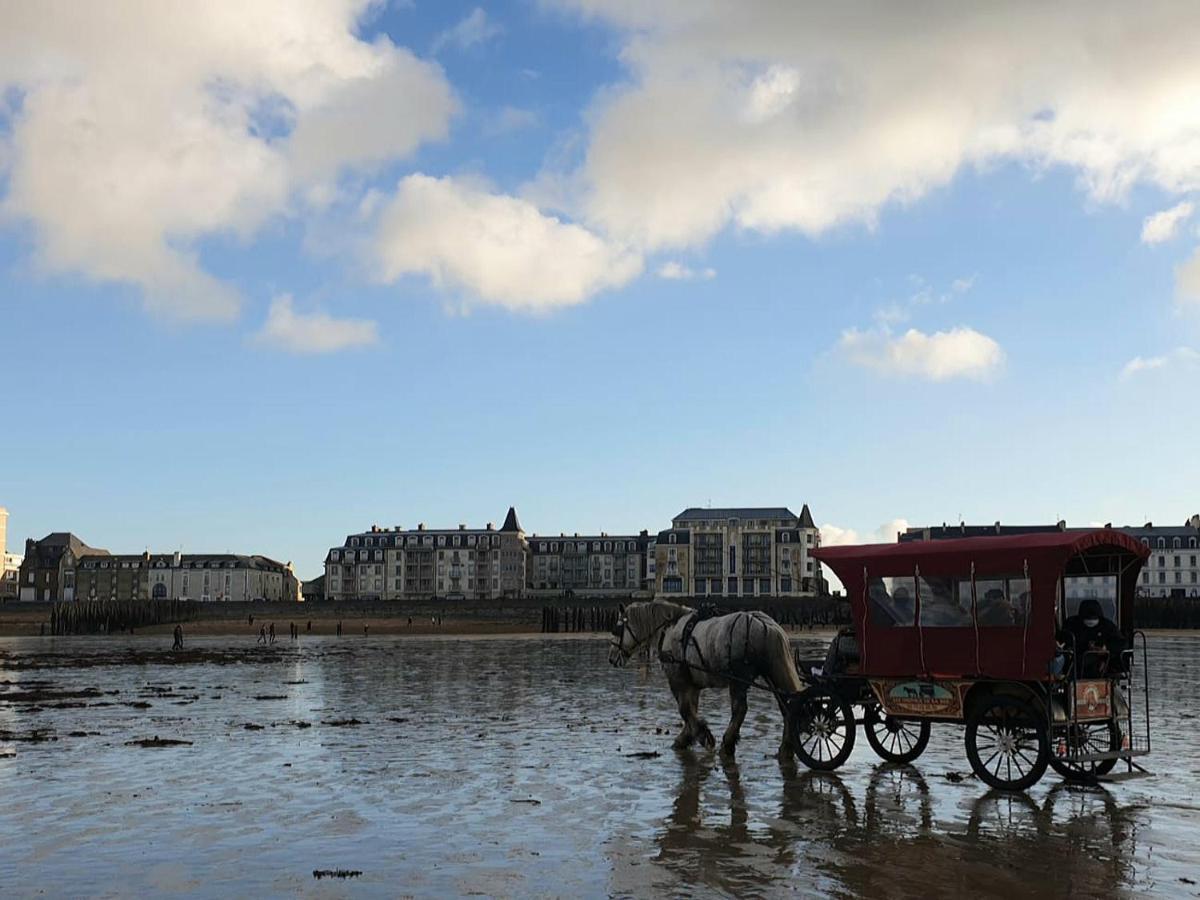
column 722, row 652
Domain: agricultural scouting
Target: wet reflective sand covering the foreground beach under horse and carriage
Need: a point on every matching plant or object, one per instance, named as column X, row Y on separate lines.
column 520, row 767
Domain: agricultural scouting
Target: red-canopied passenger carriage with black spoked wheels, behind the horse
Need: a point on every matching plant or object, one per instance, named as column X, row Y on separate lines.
column 973, row 632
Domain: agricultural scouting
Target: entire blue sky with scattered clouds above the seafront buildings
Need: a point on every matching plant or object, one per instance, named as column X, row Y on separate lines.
column 273, row 273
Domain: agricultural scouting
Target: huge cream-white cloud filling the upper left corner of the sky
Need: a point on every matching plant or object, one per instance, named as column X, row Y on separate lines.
column 141, row 130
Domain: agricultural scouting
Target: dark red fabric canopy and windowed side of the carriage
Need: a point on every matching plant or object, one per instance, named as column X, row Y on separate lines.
column 975, row 607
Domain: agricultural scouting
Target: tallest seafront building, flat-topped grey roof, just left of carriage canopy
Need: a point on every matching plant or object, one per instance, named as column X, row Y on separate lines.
column 758, row 551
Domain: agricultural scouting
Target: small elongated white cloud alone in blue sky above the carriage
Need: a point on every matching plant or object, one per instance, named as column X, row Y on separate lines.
column 958, row 353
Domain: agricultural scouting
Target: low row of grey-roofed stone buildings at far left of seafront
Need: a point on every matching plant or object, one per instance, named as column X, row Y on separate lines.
column 61, row 568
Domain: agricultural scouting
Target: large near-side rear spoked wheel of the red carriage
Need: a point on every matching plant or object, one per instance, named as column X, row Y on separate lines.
column 1007, row 743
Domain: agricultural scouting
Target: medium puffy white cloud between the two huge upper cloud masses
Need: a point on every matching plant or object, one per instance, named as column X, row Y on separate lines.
column 499, row 249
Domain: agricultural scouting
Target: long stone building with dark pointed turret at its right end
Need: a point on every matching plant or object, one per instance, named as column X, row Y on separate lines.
column 455, row 563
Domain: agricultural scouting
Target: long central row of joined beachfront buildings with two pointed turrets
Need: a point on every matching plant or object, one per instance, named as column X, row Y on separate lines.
column 711, row 553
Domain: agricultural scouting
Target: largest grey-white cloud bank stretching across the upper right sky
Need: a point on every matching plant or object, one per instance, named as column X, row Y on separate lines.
column 795, row 116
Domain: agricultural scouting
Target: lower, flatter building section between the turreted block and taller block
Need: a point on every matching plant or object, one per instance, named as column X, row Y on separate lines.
column 589, row 566
